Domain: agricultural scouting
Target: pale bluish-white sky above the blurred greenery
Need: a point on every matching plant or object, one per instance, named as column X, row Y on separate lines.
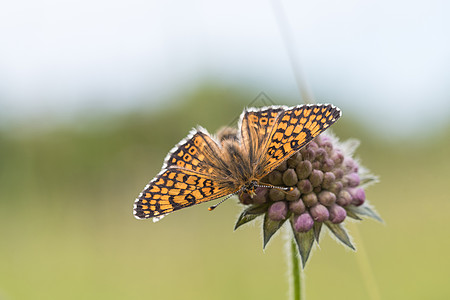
column 385, row 61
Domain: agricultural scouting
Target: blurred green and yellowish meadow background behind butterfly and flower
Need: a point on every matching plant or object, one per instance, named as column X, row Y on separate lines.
column 67, row 230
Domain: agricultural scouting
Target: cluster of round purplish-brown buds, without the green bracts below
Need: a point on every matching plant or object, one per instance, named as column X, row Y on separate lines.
column 323, row 180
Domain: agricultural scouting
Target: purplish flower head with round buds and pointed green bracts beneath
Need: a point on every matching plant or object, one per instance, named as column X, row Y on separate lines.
column 327, row 186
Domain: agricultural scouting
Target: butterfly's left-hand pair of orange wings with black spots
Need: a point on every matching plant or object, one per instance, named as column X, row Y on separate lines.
column 187, row 178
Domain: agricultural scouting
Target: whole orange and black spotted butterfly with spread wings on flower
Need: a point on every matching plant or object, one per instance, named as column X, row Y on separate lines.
column 200, row 168
